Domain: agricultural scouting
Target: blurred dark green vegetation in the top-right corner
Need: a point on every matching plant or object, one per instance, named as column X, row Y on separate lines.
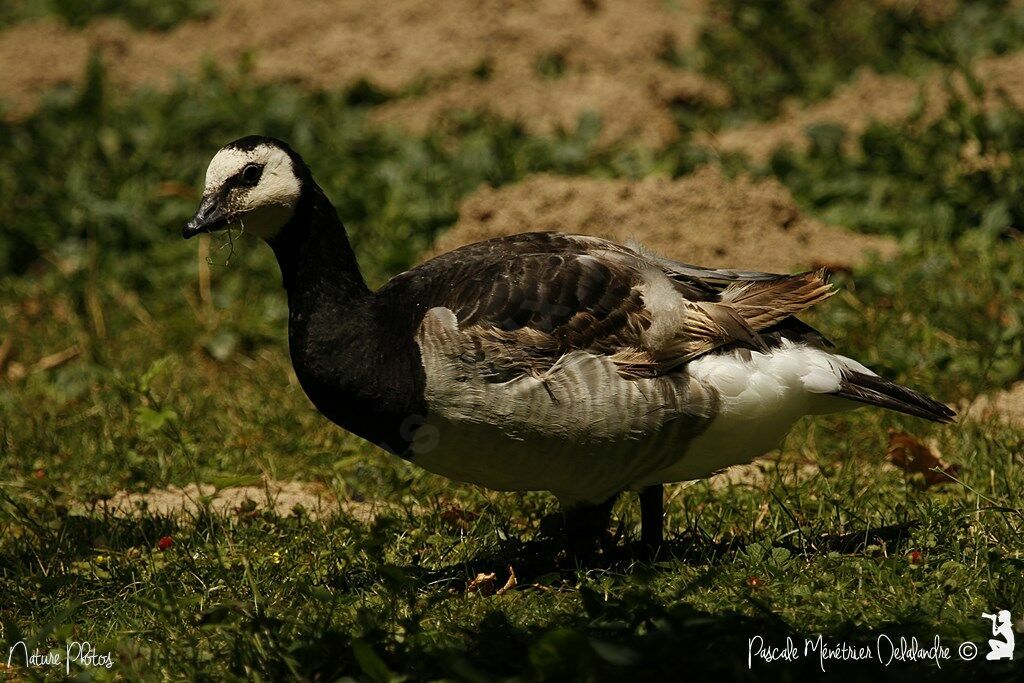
column 767, row 52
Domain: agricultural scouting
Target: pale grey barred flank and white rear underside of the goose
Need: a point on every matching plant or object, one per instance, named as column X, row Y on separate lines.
column 584, row 433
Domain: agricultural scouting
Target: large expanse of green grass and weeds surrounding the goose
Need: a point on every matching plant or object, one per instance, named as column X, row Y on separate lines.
column 170, row 388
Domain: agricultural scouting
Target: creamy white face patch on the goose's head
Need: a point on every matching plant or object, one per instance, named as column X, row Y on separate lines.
column 265, row 209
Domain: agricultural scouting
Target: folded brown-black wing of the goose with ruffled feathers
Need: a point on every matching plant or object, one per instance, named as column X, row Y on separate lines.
column 524, row 303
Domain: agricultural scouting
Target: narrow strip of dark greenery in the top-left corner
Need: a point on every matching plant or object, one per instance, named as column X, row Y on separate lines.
column 143, row 15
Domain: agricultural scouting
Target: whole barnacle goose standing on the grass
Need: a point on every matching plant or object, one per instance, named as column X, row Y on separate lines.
column 542, row 361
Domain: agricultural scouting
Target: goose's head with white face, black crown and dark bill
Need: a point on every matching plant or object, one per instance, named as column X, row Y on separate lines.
column 253, row 184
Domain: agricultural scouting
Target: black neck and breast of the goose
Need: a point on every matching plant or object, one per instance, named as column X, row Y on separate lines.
column 360, row 369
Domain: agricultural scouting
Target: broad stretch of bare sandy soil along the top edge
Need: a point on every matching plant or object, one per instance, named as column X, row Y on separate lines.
column 544, row 61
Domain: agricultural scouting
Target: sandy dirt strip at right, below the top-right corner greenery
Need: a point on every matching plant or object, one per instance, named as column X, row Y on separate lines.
column 870, row 98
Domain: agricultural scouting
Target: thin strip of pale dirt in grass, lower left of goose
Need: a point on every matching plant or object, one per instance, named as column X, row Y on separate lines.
column 283, row 498
